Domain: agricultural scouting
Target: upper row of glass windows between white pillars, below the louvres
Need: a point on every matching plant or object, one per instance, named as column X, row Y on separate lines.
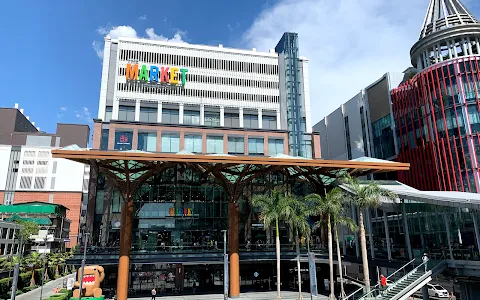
column 191, row 117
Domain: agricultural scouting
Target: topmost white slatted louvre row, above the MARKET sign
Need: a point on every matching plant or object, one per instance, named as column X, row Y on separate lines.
column 197, row 62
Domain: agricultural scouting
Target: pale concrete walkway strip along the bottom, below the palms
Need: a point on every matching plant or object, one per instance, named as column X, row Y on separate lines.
column 245, row 296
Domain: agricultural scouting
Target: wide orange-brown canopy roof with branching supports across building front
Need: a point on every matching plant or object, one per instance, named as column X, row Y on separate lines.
column 135, row 166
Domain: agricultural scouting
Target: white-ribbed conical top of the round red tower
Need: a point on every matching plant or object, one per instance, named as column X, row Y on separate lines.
column 449, row 31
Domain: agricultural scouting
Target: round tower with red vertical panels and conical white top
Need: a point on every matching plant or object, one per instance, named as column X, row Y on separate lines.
column 437, row 112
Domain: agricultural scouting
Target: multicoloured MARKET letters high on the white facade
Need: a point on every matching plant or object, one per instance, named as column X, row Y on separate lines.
column 155, row 75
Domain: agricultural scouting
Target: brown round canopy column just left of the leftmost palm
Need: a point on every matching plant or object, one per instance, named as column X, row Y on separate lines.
column 233, row 216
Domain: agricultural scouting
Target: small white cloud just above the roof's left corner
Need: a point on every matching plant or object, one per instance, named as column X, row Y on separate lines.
column 128, row 31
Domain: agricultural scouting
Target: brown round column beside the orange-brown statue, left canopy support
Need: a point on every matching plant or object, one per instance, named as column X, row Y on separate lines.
column 125, row 245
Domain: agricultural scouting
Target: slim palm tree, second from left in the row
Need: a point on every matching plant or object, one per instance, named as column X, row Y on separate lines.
column 299, row 223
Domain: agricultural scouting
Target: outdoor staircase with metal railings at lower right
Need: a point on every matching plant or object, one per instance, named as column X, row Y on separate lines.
column 405, row 281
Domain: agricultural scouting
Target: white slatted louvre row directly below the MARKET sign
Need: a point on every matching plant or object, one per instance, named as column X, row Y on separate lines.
column 148, row 89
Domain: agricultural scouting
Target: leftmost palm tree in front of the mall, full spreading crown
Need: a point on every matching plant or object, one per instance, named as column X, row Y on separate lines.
column 278, row 206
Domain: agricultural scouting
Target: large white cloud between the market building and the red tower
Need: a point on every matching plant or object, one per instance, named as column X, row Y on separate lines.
column 350, row 43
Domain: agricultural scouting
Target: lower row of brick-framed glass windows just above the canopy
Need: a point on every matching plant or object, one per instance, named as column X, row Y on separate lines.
column 170, row 143
